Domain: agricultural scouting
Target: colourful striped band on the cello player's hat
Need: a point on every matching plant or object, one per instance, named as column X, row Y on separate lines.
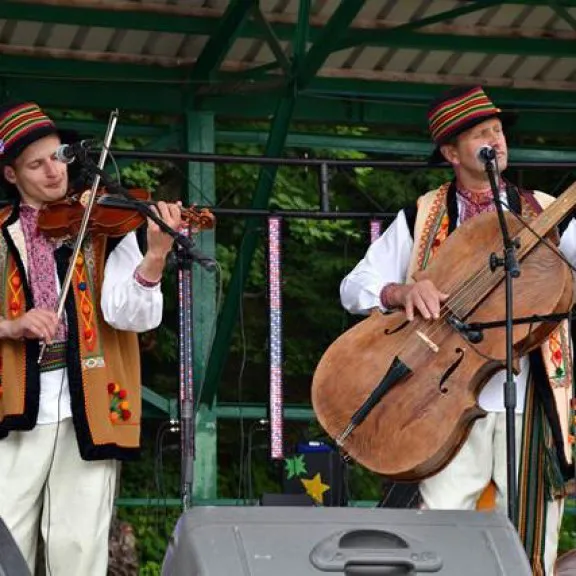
column 450, row 116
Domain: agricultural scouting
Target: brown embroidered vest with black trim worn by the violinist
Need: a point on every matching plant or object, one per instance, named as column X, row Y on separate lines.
column 102, row 363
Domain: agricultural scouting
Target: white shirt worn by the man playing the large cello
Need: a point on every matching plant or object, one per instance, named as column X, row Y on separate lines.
column 387, row 260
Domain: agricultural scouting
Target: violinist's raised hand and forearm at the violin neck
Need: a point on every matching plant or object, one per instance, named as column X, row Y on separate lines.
column 160, row 243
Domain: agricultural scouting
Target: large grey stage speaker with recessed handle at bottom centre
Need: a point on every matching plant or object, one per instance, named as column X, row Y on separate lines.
column 268, row 541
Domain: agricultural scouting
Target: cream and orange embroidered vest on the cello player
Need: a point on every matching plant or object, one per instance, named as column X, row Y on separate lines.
column 432, row 228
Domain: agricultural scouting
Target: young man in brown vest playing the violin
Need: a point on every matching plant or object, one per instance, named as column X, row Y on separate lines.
column 64, row 422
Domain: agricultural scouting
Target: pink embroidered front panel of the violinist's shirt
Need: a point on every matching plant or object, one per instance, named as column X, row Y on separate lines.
column 41, row 265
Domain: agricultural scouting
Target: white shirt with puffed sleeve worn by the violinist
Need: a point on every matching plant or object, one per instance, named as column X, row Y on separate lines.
column 125, row 304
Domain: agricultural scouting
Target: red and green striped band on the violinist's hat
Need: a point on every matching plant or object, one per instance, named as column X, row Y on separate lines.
column 18, row 123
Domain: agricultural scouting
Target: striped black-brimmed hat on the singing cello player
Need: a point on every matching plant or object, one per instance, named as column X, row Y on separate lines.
column 458, row 110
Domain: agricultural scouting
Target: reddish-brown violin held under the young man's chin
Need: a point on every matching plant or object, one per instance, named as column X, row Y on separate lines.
column 62, row 218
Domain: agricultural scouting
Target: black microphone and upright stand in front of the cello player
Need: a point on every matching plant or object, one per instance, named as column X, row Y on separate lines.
column 512, row 270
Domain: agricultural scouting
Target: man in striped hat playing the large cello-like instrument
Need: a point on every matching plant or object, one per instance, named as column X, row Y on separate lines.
column 462, row 121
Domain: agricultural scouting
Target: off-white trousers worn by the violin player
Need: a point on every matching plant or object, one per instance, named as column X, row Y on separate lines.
column 42, row 474
